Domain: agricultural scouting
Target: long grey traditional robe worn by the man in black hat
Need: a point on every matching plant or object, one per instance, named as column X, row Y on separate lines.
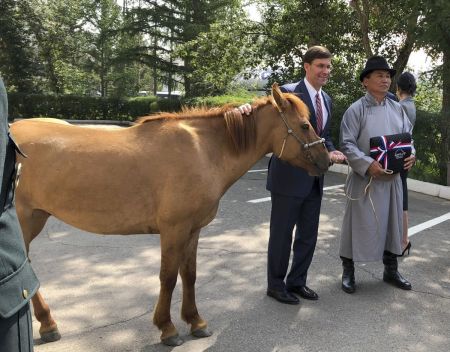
column 363, row 237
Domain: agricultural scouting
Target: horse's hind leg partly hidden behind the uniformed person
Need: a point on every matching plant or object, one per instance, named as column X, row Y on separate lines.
column 32, row 222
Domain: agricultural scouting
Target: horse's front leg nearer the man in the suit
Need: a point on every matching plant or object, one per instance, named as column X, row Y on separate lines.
column 188, row 273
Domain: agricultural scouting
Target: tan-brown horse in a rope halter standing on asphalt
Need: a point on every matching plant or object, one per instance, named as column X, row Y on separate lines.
column 165, row 175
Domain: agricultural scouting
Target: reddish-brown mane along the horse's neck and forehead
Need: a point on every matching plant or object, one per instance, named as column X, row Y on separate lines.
column 240, row 127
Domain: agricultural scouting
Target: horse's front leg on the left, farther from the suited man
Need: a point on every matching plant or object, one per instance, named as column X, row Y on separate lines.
column 172, row 243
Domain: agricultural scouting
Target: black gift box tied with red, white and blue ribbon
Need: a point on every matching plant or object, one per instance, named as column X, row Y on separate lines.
column 390, row 151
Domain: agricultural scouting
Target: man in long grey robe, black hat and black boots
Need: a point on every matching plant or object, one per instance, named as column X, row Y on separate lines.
column 373, row 220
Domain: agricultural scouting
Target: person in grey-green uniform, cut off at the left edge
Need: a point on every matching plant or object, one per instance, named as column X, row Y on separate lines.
column 18, row 283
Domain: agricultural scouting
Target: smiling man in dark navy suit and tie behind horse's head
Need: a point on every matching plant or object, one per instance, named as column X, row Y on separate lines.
column 297, row 196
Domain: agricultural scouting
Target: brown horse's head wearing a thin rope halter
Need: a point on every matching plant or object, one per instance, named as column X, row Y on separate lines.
column 298, row 142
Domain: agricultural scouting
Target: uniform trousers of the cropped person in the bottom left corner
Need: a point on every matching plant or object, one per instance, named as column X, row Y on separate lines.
column 16, row 332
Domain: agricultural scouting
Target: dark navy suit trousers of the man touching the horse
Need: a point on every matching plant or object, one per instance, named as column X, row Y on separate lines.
column 287, row 212
